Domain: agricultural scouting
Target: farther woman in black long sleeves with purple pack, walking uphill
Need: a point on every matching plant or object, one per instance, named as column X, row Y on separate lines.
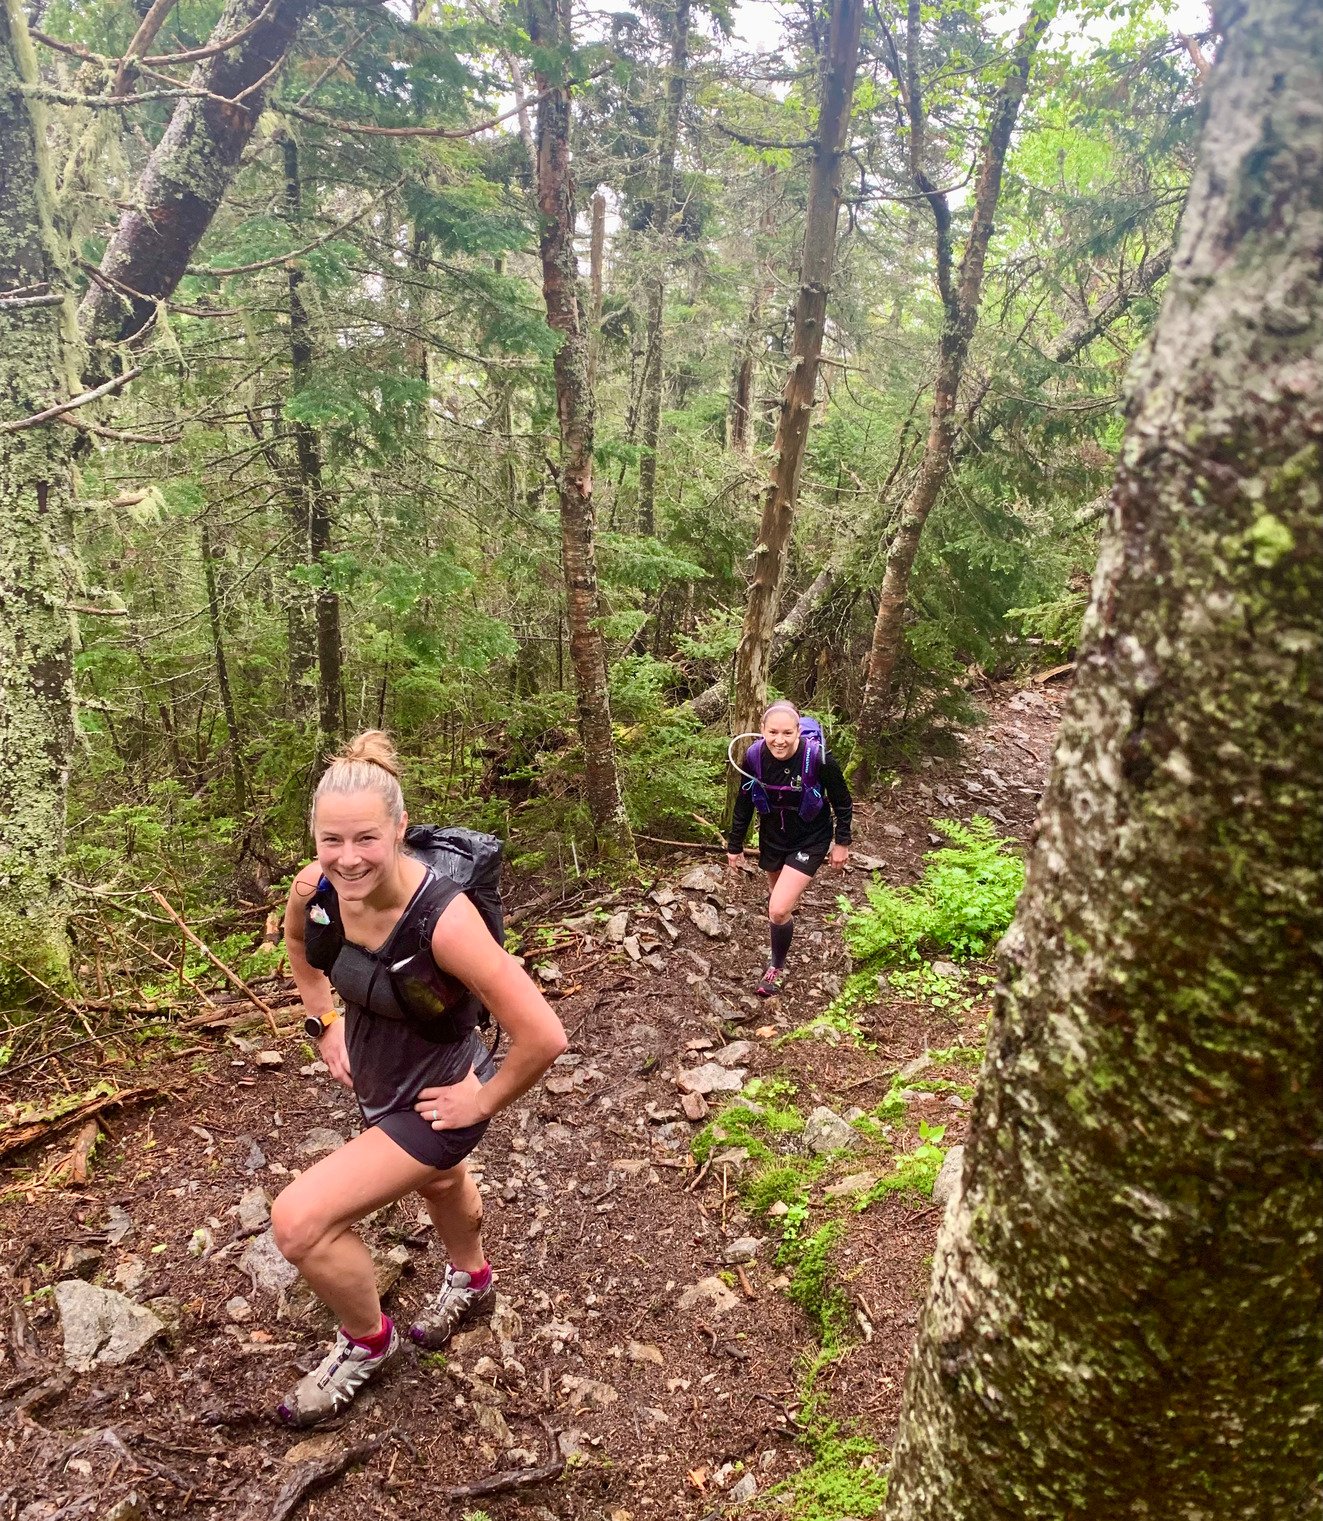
column 798, row 790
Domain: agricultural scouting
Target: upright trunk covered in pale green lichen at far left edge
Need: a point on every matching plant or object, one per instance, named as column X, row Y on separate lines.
column 37, row 345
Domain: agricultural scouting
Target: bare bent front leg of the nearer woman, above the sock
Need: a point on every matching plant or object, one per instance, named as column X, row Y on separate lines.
column 313, row 1222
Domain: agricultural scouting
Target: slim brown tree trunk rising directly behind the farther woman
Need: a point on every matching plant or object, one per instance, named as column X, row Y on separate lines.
column 798, row 402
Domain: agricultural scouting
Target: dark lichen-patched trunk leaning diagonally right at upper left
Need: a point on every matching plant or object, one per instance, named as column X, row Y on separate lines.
column 189, row 173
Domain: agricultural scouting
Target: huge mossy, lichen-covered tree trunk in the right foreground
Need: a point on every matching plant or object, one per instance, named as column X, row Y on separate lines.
column 1128, row 1298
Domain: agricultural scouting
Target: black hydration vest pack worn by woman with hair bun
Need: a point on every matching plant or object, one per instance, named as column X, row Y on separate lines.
column 402, row 979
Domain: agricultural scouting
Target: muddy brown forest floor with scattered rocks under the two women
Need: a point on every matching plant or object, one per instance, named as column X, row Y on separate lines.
column 653, row 1323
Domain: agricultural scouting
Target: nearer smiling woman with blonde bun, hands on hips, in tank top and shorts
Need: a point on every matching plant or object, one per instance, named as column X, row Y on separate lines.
column 416, row 965
